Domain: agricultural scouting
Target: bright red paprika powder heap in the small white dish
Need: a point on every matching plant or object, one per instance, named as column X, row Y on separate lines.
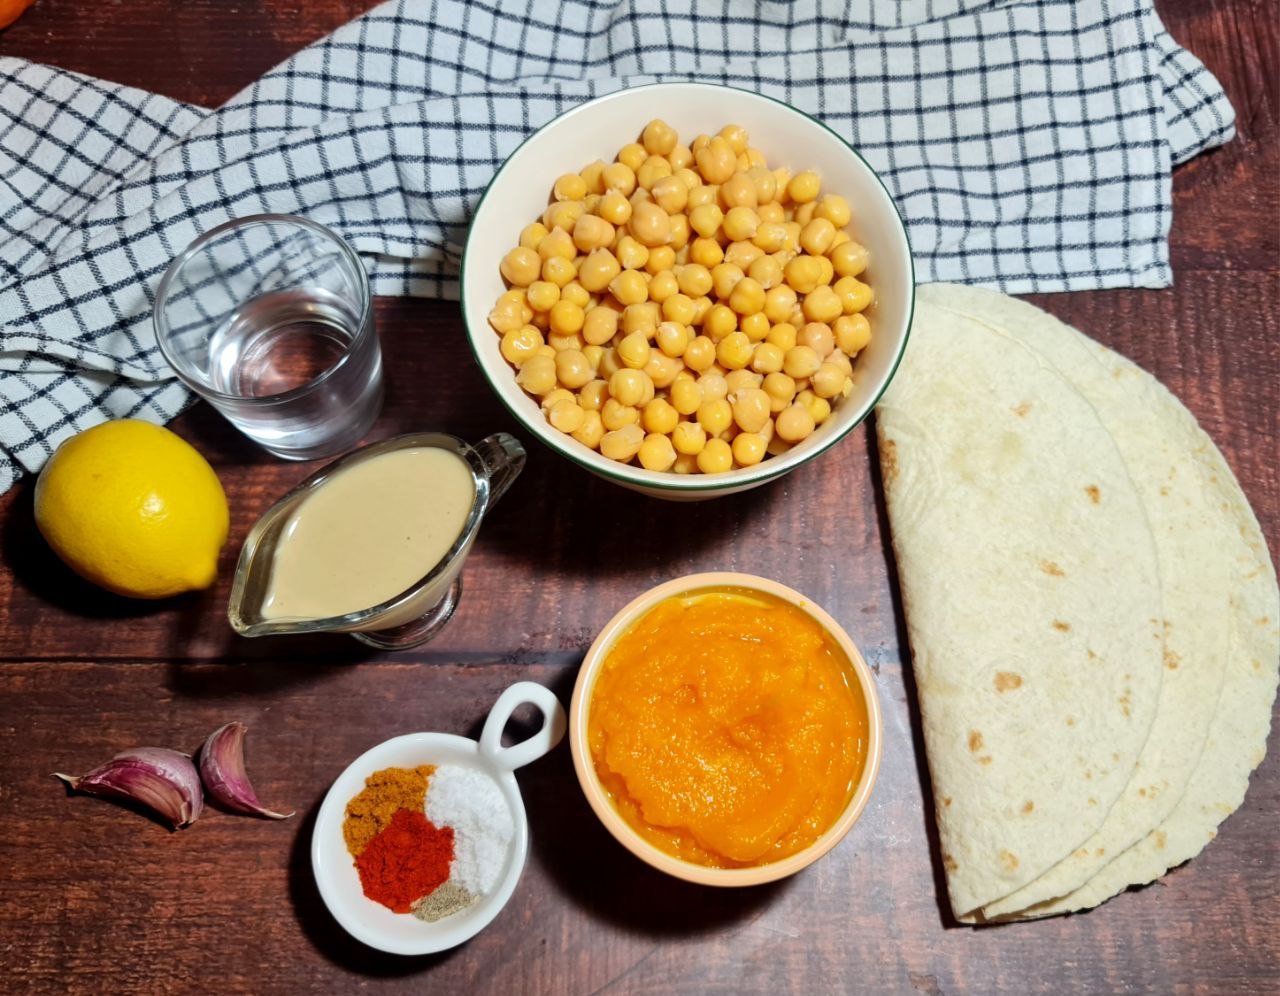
column 405, row 862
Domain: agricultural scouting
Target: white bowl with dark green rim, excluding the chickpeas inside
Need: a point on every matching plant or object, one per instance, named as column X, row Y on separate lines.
column 597, row 130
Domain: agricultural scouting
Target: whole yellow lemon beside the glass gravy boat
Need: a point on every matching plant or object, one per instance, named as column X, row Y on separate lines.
column 134, row 509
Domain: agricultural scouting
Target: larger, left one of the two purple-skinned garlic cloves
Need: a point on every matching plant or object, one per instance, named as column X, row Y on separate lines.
column 163, row 780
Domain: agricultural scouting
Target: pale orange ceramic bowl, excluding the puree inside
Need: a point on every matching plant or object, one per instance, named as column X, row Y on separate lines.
column 600, row 799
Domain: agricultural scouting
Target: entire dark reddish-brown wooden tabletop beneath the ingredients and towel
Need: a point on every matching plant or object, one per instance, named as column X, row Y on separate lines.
column 97, row 898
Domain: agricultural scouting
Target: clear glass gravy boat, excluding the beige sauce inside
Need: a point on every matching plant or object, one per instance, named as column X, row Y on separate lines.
column 418, row 614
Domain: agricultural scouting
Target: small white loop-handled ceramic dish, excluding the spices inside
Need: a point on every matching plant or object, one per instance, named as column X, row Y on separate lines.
column 336, row 874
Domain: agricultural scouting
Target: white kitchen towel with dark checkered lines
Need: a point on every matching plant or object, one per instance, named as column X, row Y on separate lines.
column 1028, row 144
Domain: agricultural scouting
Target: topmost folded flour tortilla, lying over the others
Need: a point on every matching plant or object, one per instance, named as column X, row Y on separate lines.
column 1031, row 587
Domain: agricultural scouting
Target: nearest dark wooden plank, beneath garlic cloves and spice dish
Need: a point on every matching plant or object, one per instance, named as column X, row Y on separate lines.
column 94, row 881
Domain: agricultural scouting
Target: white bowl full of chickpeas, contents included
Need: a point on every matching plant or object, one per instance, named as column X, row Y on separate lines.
column 688, row 305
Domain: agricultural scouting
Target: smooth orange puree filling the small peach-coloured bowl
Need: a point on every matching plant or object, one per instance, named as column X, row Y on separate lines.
column 728, row 728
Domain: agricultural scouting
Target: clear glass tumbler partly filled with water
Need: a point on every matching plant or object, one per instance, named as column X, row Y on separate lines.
column 271, row 321
